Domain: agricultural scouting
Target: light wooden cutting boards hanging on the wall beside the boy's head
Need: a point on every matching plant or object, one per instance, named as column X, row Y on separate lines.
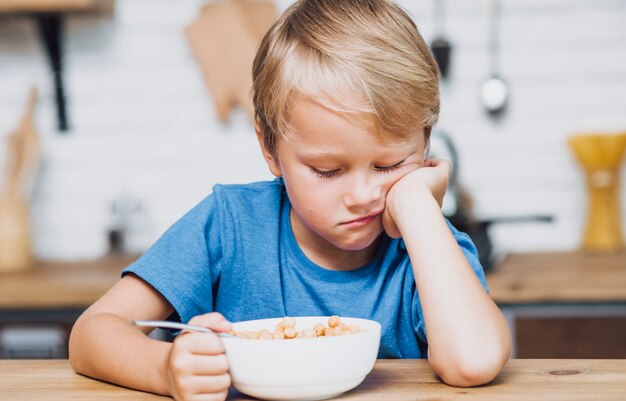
column 224, row 39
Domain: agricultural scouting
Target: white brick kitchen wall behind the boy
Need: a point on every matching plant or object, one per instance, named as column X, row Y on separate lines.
column 143, row 122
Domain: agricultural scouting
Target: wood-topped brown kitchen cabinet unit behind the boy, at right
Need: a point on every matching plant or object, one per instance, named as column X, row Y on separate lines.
column 563, row 305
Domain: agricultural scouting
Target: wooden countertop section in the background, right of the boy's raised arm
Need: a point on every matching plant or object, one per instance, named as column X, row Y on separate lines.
column 570, row 277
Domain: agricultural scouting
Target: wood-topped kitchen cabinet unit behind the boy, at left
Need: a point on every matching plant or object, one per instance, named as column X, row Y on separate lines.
column 43, row 303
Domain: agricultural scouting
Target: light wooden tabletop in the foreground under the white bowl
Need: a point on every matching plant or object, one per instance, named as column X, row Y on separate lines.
column 392, row 380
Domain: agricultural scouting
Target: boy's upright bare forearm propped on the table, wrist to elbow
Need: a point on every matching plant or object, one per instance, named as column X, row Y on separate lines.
column 468, row 338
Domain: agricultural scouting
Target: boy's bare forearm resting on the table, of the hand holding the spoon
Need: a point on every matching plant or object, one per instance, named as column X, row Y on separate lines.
column 107, row 347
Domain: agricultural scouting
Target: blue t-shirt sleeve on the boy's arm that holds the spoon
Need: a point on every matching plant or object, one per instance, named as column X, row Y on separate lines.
column 183, row 264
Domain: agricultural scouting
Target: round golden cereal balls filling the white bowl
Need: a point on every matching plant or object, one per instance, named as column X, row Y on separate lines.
column 286, row 329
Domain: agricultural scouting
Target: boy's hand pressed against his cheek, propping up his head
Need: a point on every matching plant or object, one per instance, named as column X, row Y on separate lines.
column 428, row 180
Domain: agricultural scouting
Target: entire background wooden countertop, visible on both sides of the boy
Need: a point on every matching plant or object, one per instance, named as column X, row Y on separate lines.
column 521, row 278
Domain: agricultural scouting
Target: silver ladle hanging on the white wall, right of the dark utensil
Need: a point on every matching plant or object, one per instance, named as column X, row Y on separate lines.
column 494, row 92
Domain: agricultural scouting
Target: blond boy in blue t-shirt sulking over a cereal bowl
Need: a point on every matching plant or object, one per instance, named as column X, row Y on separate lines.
column 345, row 95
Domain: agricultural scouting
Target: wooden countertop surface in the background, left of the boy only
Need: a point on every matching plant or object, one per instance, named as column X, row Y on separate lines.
column 60, row 285
